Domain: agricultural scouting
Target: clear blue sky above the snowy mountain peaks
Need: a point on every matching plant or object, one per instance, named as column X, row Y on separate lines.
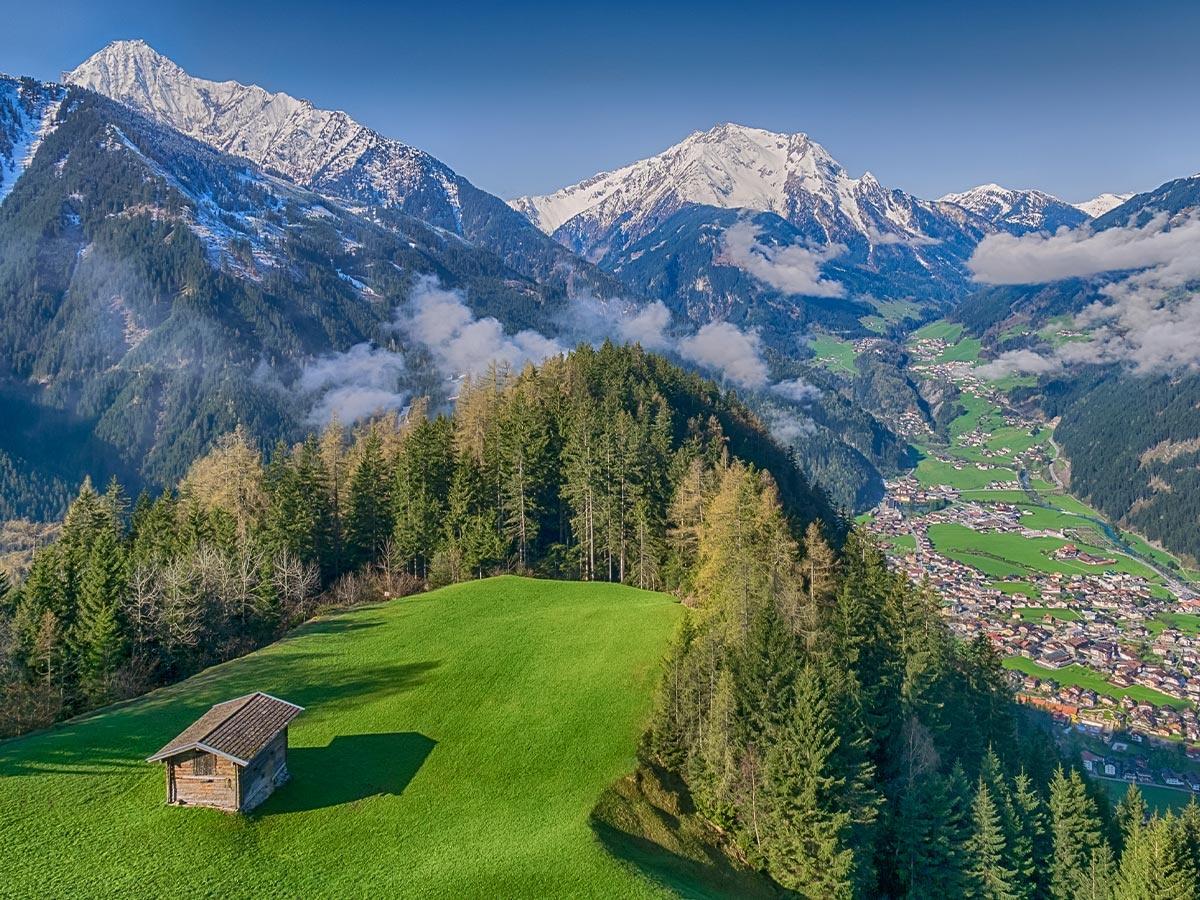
column 932, row 98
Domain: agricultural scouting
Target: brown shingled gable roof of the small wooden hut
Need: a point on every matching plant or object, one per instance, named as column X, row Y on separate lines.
column 237, row 730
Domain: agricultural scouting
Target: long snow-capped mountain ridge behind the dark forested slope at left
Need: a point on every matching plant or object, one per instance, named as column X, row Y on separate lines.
column 331, row 153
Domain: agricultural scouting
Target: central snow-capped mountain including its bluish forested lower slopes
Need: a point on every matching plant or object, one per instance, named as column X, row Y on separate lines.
column 661, row 224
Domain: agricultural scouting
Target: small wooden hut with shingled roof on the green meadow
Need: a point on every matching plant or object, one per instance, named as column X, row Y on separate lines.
column 233, row 757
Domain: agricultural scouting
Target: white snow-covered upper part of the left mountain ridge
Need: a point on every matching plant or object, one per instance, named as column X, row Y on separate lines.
column 322, row 149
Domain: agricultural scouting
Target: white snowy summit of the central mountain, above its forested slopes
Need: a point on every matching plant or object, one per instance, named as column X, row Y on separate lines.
column 733, row 167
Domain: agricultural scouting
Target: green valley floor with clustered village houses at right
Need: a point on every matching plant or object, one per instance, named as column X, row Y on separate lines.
column 1099, row 628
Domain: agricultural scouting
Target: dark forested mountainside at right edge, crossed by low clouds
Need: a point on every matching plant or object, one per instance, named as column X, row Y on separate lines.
column 1129, row 424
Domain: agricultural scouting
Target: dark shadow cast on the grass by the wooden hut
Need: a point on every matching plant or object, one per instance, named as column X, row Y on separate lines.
column 351, row 769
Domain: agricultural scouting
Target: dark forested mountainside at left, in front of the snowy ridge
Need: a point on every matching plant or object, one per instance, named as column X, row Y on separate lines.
column 148, row 279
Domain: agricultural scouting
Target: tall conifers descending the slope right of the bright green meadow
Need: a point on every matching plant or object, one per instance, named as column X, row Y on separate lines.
column 841, row 741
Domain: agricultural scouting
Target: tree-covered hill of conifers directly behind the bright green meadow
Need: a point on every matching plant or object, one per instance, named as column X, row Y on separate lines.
column 589, row 467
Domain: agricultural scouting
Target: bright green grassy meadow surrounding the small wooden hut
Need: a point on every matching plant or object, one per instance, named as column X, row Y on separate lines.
column 454, row 745
